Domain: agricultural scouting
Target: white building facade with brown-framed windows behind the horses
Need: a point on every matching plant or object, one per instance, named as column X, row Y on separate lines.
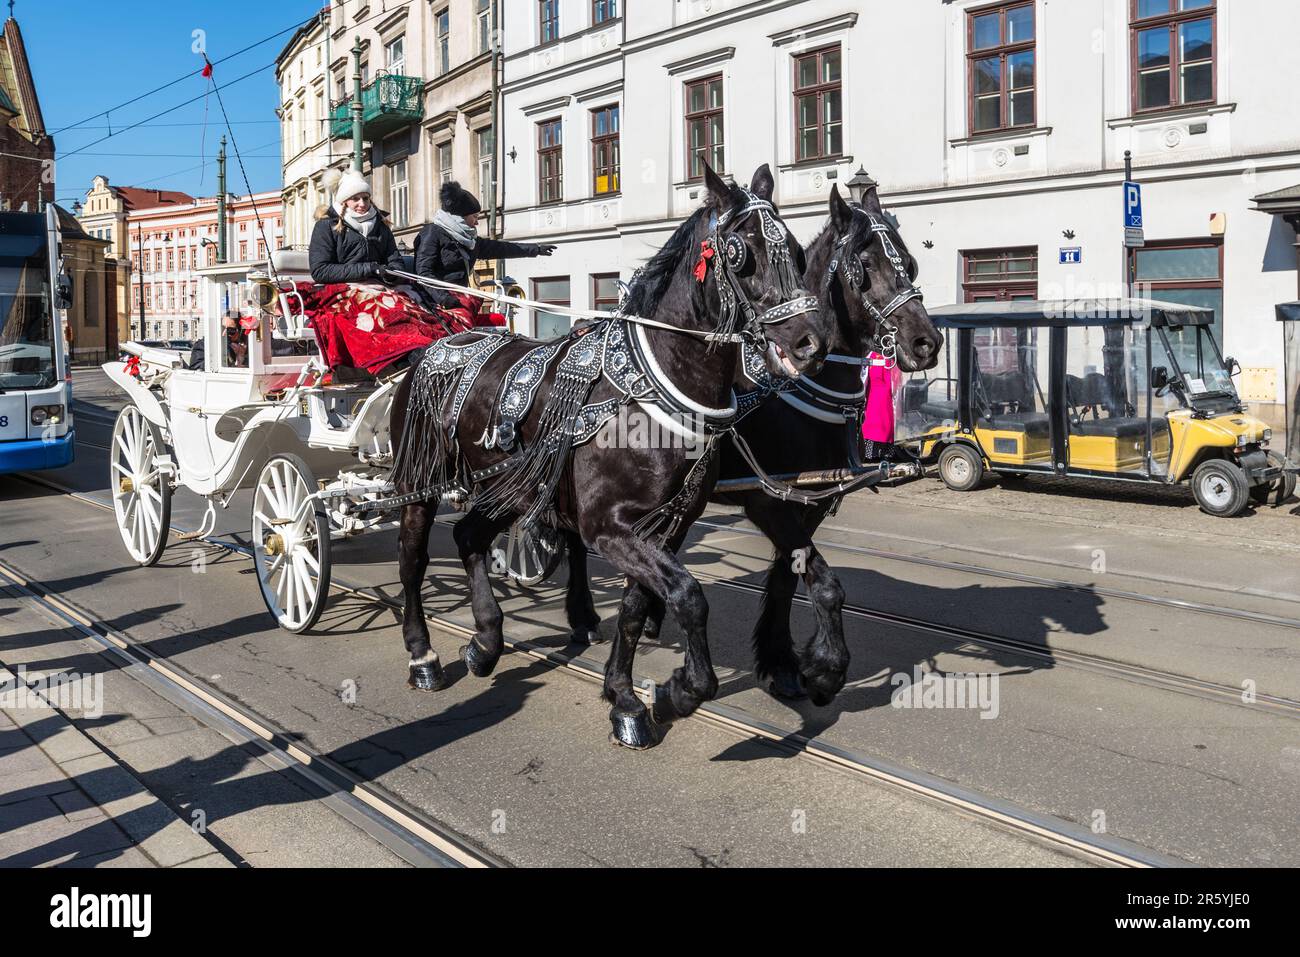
column 996, row 131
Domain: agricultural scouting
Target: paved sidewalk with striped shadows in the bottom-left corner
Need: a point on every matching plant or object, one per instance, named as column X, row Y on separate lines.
column 67, row 803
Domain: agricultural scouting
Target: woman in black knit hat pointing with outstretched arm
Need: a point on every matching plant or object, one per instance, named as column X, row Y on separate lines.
column 449, row 248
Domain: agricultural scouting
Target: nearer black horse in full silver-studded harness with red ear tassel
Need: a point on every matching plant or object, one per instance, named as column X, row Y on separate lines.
column 730, row 275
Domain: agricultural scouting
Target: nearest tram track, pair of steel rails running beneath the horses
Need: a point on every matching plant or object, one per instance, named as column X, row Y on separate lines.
column 1068, row 837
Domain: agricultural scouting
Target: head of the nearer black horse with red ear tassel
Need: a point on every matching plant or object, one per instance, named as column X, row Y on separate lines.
column 757, row 269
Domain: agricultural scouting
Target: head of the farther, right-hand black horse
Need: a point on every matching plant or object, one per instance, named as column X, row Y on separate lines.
column 872, row 274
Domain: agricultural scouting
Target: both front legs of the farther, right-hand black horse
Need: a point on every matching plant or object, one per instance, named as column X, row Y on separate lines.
column 826, row 660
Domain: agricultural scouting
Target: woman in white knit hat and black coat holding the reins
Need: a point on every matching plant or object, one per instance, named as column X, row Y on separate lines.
column 353, row 241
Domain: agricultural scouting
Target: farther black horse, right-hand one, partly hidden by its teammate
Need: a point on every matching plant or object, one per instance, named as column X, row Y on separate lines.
column 864, row 276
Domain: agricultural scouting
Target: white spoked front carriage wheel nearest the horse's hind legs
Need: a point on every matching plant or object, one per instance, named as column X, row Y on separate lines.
column 291, row 538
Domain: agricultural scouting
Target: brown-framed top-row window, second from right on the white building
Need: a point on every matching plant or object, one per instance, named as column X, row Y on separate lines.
column 1000, row 68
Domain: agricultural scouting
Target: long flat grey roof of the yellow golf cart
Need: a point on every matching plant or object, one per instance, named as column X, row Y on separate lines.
column 1068, row 313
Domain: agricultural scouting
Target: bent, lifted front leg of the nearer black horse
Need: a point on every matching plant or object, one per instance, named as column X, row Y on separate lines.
column 660, row 571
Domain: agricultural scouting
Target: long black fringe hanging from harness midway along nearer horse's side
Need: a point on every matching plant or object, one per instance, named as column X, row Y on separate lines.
column 541, row 466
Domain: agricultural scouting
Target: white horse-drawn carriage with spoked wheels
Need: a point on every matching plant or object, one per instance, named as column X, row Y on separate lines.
column 314, row 447
